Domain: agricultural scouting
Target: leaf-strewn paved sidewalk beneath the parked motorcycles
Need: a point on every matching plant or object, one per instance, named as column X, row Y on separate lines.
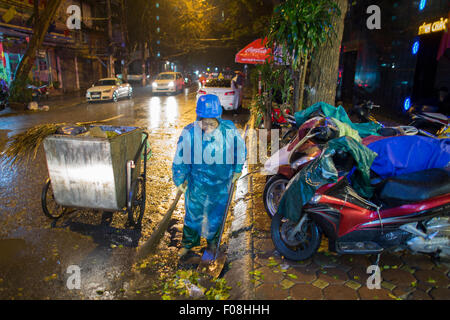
column 325, row 276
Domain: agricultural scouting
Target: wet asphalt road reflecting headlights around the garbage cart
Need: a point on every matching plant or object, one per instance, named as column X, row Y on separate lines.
column 35, row 253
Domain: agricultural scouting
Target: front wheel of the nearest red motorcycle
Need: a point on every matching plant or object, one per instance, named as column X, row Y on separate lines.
column 298, row 247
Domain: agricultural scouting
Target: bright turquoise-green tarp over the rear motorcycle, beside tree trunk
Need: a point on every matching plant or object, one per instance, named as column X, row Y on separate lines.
column 364, row 129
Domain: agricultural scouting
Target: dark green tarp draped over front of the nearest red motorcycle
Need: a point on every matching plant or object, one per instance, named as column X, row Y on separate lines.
column 322, row 171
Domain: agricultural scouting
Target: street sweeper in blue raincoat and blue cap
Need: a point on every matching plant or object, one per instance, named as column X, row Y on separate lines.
column 209, row 158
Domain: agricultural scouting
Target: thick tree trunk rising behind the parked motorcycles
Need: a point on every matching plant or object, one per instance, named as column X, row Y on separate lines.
column 324, row 64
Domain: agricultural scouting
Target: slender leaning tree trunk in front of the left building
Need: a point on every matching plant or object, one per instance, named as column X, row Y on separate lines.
column 39, row 31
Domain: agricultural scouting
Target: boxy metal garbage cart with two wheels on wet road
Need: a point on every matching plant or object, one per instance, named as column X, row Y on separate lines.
column 107, row 174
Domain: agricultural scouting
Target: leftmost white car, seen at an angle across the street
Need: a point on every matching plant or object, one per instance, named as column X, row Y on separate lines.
column 109, row 89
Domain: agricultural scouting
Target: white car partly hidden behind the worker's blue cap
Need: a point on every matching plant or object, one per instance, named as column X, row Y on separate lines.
column 229, row 95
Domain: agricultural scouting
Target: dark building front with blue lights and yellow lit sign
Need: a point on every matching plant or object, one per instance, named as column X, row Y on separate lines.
column 399, row 64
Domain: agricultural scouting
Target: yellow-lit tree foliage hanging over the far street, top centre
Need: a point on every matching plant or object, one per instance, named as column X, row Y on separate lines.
column 188, row 26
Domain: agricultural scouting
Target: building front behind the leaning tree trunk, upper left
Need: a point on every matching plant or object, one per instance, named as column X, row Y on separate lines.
column 69, row 59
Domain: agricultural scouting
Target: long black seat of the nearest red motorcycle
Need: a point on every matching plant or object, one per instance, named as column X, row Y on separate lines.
column 414, row 187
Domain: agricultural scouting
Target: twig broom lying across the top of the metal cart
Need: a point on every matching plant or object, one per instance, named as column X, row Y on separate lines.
column 24, row 147
